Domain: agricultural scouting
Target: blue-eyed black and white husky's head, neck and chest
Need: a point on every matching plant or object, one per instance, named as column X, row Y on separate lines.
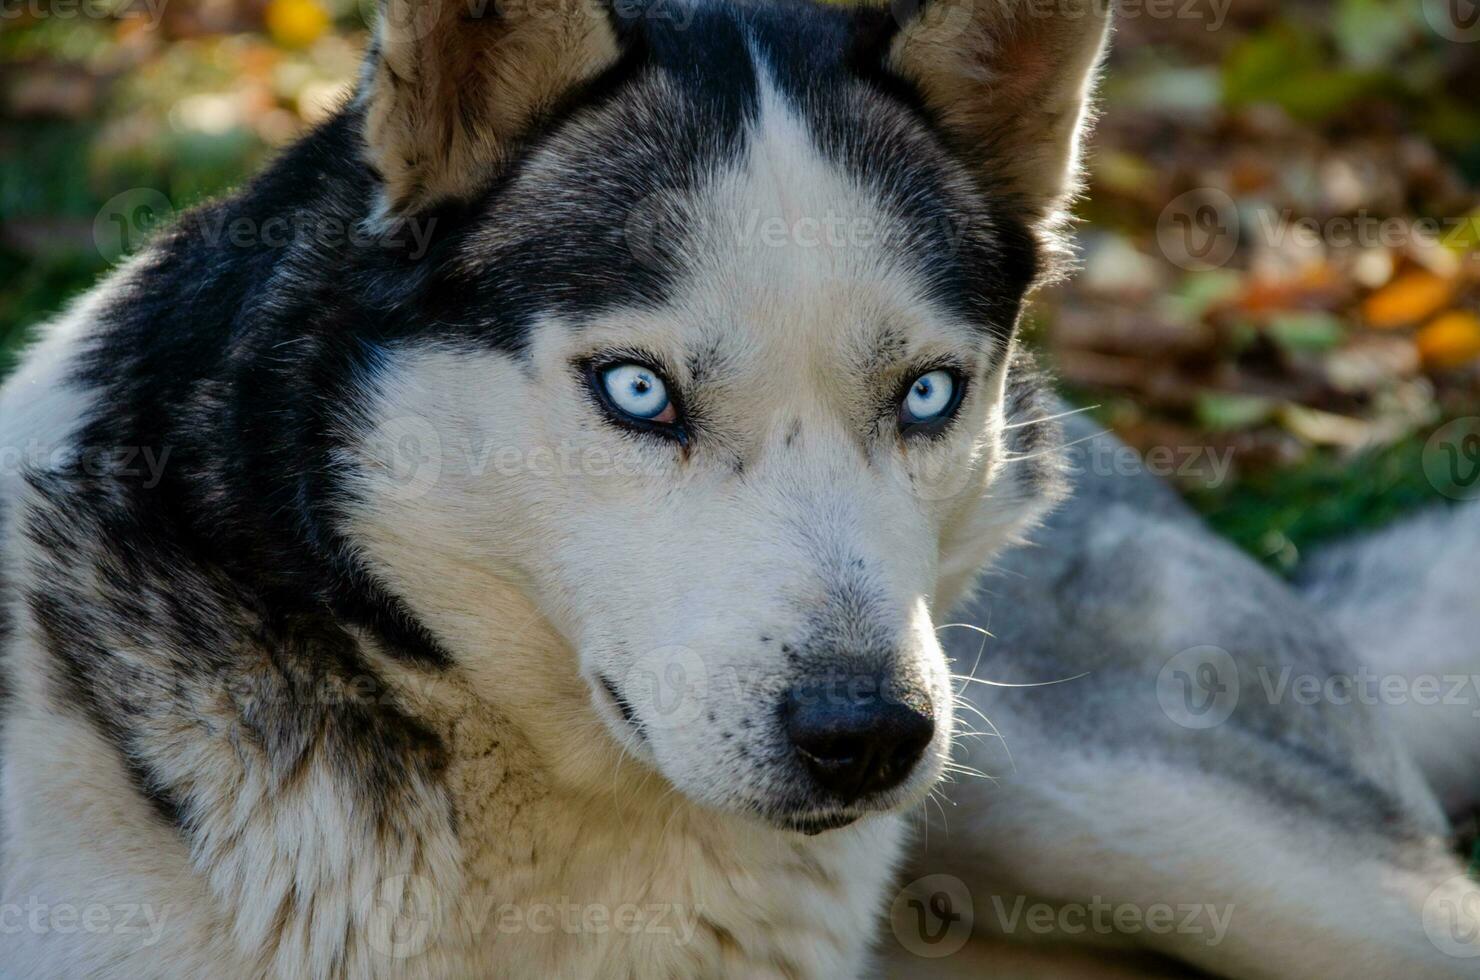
column 556, row 597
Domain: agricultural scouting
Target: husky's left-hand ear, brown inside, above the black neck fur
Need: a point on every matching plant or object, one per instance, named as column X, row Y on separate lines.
column 452, row 85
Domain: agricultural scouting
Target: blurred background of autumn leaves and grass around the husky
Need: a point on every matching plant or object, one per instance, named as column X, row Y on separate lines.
column 1279, row 301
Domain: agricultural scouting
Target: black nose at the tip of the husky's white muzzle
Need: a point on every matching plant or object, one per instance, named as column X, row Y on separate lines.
column 858, row 744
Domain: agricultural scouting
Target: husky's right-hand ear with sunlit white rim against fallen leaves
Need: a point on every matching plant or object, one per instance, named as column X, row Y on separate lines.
column 1010, row 84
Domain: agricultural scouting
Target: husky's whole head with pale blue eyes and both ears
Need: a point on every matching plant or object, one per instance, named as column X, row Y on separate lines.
column 713, row 371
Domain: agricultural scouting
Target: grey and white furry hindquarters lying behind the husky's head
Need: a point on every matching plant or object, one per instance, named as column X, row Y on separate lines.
column 1231, row 773
